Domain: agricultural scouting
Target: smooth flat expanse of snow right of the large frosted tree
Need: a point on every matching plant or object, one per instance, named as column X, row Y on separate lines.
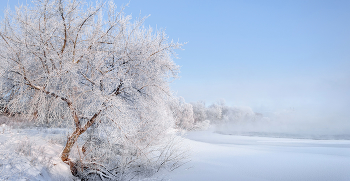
column 246, row 158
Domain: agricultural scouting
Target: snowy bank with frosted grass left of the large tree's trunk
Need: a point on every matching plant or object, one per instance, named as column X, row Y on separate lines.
column 32, row 154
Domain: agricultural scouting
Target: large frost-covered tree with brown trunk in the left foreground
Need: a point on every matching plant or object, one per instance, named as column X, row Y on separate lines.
column 88, row 67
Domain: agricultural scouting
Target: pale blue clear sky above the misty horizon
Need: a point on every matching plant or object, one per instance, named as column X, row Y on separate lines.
column 268, row 55
